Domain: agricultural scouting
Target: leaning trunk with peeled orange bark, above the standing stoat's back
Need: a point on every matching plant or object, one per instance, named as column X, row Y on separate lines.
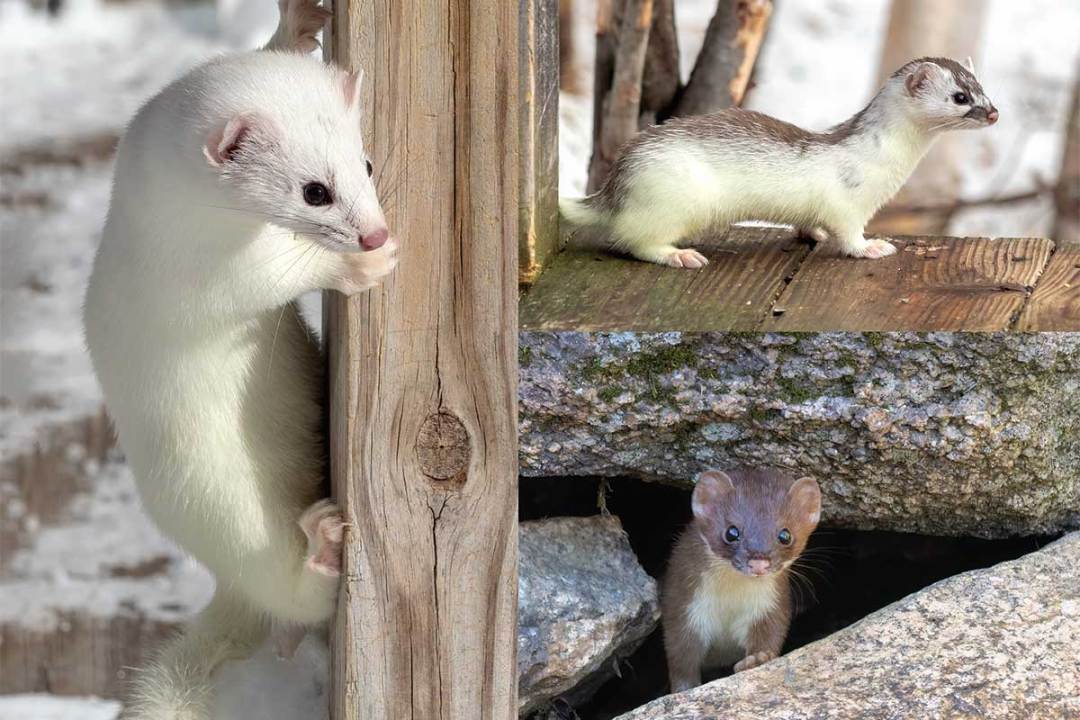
column 723, row 71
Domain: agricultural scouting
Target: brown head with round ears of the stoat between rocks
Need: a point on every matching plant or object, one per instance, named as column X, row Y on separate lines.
column 758, row 521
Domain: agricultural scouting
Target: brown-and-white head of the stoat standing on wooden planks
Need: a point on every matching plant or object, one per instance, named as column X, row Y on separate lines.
column 943, row 94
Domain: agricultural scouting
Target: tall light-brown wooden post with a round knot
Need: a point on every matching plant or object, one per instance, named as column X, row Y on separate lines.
column 424, row 371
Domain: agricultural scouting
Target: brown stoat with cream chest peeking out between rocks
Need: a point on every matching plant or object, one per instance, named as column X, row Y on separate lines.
column 726, row 599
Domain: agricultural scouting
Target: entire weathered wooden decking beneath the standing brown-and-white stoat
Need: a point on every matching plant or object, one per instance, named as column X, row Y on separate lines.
column 767, row 280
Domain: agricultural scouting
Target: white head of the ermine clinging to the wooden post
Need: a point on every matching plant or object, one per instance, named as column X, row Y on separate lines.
column 301, row 165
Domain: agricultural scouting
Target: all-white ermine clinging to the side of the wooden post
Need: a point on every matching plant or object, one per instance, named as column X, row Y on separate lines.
column 238, row 188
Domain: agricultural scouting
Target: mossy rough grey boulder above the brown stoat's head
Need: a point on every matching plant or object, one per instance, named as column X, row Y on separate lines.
column 937, row 433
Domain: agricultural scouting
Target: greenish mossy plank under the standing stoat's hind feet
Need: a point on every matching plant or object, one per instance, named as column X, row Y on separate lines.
column 597, row 291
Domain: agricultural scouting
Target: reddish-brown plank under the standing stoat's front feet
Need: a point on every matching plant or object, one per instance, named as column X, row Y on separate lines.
column 931, row 284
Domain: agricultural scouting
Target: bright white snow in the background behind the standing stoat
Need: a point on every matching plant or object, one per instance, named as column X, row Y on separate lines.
column 820, row 65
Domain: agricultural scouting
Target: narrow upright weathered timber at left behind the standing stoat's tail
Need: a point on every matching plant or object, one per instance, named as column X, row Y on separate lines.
column 539, row 127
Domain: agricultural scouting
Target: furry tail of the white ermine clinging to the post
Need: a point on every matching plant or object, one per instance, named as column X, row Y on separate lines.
column 179, row 684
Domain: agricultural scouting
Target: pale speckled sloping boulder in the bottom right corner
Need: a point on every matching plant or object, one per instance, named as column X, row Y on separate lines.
column 994, row 644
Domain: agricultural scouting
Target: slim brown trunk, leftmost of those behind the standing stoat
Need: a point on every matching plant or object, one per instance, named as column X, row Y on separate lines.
column 620, row 64
